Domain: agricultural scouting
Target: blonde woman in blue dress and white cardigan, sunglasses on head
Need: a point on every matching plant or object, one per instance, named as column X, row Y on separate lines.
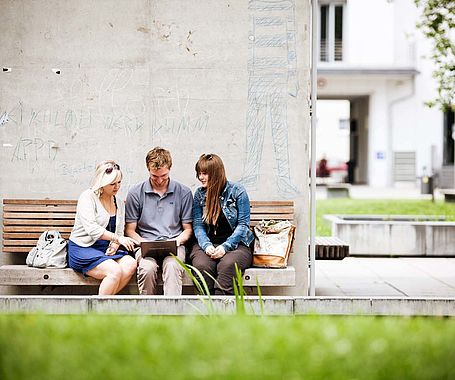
column 96, row 245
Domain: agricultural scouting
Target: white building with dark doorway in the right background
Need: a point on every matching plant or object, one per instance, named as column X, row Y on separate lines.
column 372, row 55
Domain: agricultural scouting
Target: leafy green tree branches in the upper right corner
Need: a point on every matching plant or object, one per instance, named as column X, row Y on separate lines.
column 437, row 22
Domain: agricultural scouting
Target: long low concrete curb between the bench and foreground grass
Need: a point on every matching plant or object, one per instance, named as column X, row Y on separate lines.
column 194, row 305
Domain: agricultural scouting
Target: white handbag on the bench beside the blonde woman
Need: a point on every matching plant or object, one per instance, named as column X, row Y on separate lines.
column 49, row 252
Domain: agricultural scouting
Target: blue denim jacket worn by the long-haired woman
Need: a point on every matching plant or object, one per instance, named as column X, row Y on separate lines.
column 235, row 205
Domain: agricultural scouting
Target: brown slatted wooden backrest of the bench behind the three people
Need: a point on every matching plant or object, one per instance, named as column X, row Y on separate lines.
column 25, row 219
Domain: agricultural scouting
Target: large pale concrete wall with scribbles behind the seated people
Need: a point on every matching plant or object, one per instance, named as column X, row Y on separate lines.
column 85, row 81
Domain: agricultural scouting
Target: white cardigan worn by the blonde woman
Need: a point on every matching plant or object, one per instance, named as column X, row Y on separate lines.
column 92, row 219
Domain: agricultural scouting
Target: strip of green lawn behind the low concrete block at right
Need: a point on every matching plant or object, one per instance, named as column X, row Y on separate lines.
column 378, row 206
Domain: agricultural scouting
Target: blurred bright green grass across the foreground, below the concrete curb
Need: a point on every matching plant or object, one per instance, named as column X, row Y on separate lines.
column 35, row 346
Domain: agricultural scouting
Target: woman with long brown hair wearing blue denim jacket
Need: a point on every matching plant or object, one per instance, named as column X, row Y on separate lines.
column 221, row 224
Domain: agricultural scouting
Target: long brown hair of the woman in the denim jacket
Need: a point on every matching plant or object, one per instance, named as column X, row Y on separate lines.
column 213, row 166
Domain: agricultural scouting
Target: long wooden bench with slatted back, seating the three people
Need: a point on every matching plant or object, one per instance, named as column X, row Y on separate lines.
column 25, row 219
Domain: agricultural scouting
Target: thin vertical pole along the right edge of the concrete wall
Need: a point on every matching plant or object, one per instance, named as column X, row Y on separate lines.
column 313, row 98
